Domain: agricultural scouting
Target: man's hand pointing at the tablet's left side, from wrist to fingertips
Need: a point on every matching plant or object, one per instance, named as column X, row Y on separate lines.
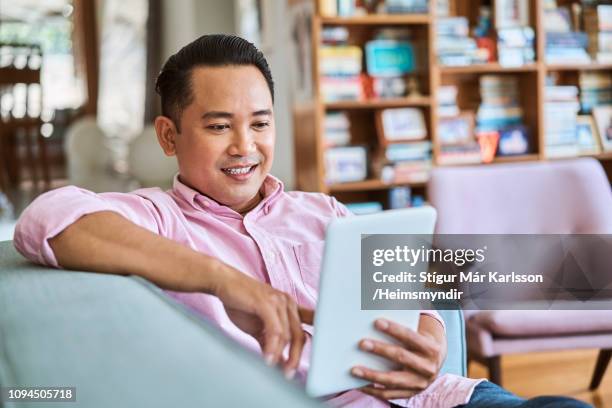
column 270, row 316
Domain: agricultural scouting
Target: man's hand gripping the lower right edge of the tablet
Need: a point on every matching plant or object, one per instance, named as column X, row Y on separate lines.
column 419, row 358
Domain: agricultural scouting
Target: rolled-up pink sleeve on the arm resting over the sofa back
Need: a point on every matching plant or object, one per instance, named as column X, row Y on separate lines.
column 54, row 211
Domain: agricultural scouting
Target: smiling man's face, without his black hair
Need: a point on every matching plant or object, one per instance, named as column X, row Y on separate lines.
column 226, row 145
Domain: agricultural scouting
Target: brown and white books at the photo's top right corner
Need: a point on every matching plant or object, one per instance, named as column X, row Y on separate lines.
column 598, row 24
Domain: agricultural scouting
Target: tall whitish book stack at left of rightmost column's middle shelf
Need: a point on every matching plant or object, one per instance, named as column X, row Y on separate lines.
column 561, row 107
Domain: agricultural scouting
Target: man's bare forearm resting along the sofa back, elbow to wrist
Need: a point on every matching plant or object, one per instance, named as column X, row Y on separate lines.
column 107, row 242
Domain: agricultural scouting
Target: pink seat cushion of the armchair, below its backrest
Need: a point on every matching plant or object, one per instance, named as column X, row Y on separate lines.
column 522, row 323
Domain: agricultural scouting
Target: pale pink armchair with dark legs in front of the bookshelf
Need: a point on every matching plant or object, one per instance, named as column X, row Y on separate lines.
column 528, row 198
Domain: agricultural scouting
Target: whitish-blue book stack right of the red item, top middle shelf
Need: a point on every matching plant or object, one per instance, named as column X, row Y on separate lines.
column 515, row 46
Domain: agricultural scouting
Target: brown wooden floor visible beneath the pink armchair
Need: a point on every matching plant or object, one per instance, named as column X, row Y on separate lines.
column 566, row 373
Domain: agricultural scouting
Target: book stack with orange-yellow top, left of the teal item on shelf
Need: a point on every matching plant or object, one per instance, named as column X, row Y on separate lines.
column 340, row 69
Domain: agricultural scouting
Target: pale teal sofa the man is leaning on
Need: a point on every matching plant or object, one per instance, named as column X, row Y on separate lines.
column 123, row 343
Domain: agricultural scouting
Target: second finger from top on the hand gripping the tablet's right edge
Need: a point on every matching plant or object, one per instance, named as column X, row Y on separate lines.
column 401, row 356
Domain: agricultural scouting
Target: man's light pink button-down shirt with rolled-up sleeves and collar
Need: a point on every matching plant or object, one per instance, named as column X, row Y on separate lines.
column 279, row 242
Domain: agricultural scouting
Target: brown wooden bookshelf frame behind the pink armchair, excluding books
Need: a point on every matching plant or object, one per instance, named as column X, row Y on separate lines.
column 308, row 119
